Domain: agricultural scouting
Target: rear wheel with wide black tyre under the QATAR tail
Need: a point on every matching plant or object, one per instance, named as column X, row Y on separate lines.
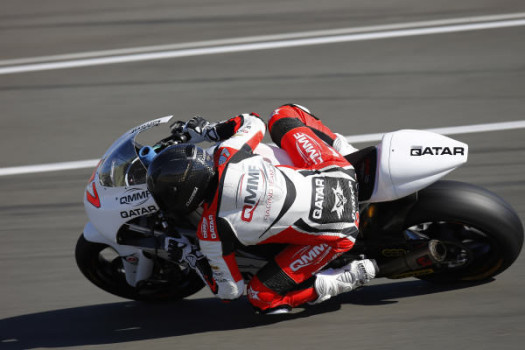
column 483, row 234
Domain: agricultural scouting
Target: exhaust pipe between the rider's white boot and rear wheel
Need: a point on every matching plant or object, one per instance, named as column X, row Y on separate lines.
column 423, row 258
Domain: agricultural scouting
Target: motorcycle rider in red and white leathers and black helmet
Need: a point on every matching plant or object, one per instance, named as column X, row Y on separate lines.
column 311, row 206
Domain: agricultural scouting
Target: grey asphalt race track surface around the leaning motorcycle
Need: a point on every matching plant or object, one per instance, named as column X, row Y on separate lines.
column 363, row 87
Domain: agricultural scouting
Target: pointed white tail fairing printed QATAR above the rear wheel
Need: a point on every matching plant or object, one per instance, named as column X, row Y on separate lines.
column 410, row 160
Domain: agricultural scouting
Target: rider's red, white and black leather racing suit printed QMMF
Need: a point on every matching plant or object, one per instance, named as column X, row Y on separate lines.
column 312, row 206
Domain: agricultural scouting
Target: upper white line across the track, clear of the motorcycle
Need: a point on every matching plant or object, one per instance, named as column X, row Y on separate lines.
column 262, row 43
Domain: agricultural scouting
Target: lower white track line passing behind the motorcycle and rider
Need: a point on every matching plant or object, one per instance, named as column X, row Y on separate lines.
column 467, row 129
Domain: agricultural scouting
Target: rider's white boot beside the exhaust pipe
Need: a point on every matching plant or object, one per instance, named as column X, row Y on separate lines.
column 332, row 282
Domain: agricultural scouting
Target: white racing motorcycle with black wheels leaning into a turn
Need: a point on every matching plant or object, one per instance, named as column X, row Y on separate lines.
column 411, row 222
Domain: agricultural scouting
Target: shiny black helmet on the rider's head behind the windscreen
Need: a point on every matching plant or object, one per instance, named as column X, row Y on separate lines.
column 179, row 178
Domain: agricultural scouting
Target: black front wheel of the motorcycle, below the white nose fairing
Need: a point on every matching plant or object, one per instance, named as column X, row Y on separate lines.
column 102, row 266
